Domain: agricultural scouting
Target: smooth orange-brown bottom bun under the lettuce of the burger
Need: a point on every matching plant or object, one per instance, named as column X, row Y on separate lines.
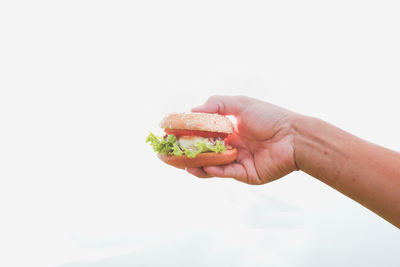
column 201, row 160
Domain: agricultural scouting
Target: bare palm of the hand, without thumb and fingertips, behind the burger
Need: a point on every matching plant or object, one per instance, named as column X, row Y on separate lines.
column 265, row 151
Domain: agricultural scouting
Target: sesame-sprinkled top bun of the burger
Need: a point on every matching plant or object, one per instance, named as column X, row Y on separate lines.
column 198, row 121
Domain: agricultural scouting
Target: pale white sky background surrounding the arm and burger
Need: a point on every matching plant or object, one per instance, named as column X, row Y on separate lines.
column 83, row 82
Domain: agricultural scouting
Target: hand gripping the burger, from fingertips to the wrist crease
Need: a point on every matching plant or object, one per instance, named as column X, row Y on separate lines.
column 264, row 139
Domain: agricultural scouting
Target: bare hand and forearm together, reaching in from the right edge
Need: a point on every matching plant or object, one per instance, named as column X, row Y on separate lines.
column 272, row 142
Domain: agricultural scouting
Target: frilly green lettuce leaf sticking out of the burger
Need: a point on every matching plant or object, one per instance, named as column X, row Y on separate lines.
column 170, row 146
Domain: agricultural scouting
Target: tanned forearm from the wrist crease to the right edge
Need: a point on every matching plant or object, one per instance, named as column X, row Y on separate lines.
column 365, row 172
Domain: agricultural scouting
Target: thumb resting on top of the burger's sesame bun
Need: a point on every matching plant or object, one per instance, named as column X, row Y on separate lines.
column 225, row 105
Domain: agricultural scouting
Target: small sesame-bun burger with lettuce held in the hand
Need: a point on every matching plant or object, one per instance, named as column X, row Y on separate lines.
column 194, row 140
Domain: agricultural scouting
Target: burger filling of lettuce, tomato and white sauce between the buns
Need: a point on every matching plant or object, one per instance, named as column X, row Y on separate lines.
column 188, row 145
